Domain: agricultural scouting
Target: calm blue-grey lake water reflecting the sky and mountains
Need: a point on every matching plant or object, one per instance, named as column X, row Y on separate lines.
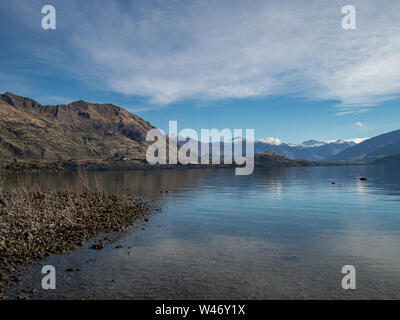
column 277, row 234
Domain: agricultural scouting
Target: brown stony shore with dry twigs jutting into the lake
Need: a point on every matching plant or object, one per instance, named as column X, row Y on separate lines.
column 34, row 225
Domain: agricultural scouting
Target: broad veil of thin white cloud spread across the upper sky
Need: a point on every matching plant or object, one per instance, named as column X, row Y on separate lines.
column 214, row 50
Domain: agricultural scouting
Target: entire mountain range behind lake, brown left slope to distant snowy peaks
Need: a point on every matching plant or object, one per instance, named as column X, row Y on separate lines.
column 84, row 130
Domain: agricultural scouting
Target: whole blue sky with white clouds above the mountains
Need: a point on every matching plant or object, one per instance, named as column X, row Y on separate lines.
column 288, row 70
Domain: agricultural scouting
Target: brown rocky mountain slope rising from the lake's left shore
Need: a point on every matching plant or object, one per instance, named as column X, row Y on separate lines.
column 79, row 130
